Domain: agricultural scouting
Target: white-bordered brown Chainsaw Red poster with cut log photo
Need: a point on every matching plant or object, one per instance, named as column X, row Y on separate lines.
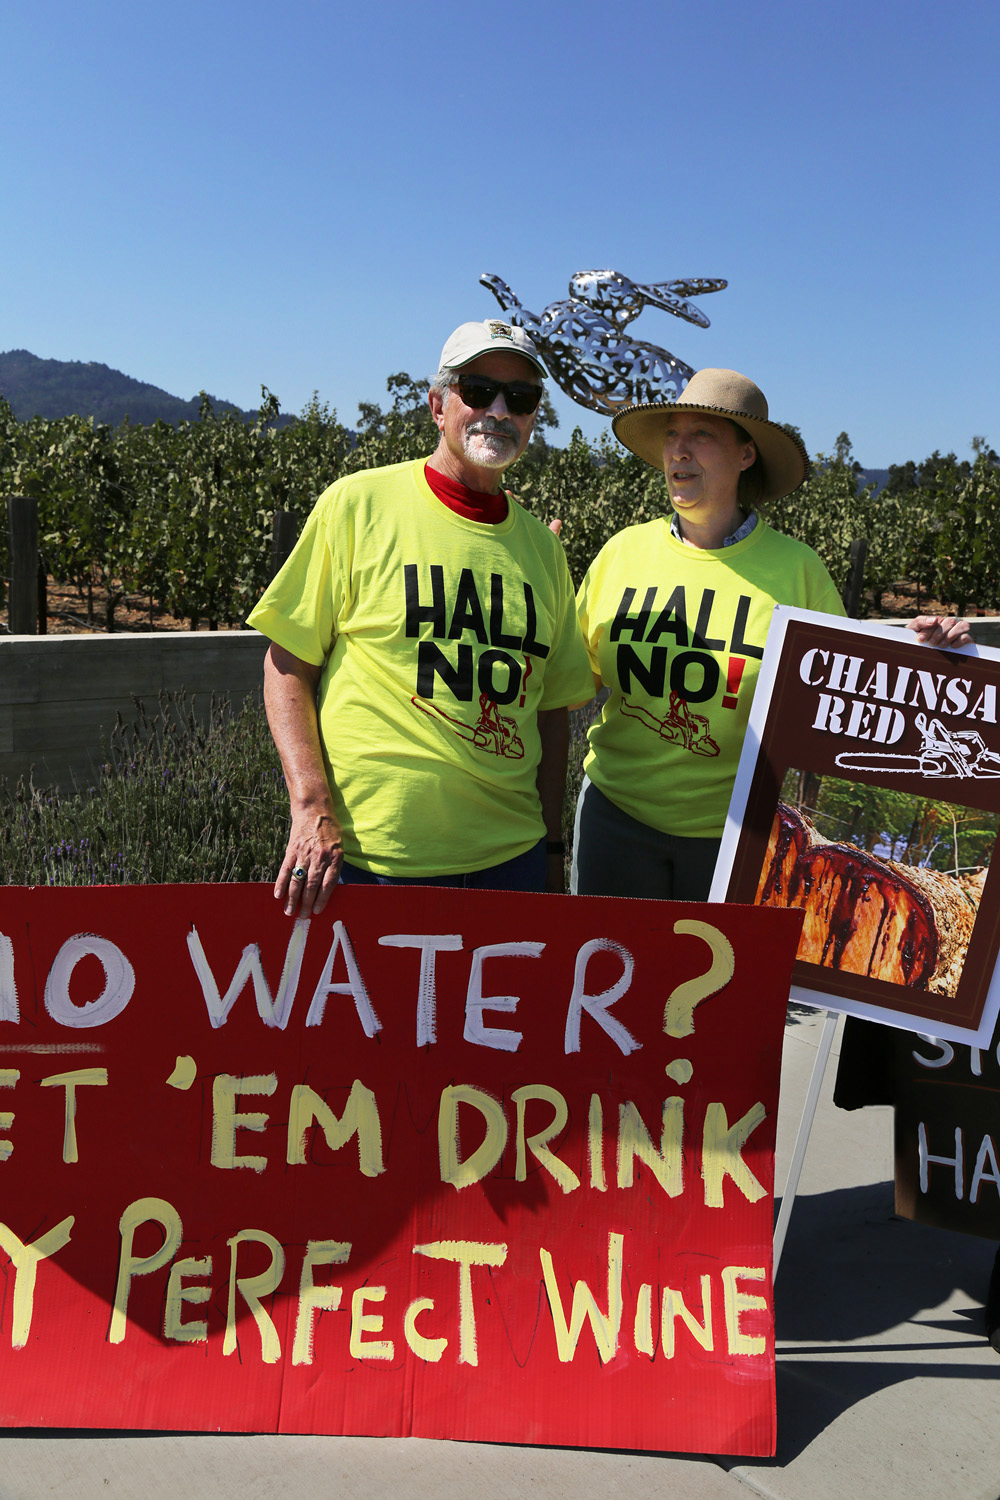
column 869, row 799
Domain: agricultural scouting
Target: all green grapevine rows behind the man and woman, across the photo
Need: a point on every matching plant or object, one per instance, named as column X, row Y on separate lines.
column 185, row 517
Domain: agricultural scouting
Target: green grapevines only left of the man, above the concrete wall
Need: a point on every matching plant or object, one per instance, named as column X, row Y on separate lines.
column 182, row 517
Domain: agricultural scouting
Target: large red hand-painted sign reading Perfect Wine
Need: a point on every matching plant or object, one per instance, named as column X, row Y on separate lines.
column 430, row 1165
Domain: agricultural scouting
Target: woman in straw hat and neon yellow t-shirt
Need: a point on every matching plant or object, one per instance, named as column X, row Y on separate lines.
column 675, row 614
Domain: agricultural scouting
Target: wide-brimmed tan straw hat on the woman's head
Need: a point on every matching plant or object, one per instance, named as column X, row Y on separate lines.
column 720, row 394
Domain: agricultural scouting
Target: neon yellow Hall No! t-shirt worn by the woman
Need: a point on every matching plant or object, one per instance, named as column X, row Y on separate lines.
column 677, row 634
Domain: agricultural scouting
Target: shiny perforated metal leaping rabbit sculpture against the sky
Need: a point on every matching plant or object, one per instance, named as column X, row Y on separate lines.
column 584, row 343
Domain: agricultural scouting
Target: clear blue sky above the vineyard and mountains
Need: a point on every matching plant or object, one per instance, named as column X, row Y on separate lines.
column 220, row 196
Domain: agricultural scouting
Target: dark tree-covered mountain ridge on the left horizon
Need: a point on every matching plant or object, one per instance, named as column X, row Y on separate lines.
column 38, row 388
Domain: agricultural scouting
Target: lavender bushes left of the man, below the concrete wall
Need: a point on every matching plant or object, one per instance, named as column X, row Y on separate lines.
column 179, row 799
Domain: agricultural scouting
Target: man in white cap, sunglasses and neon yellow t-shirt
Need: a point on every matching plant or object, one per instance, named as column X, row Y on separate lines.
column 425, row 647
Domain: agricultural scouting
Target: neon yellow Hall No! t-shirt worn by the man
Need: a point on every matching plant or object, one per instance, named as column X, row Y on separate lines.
column 440, row 640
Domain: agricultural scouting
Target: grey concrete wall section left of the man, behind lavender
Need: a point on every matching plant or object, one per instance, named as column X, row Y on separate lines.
column 61, row 695
